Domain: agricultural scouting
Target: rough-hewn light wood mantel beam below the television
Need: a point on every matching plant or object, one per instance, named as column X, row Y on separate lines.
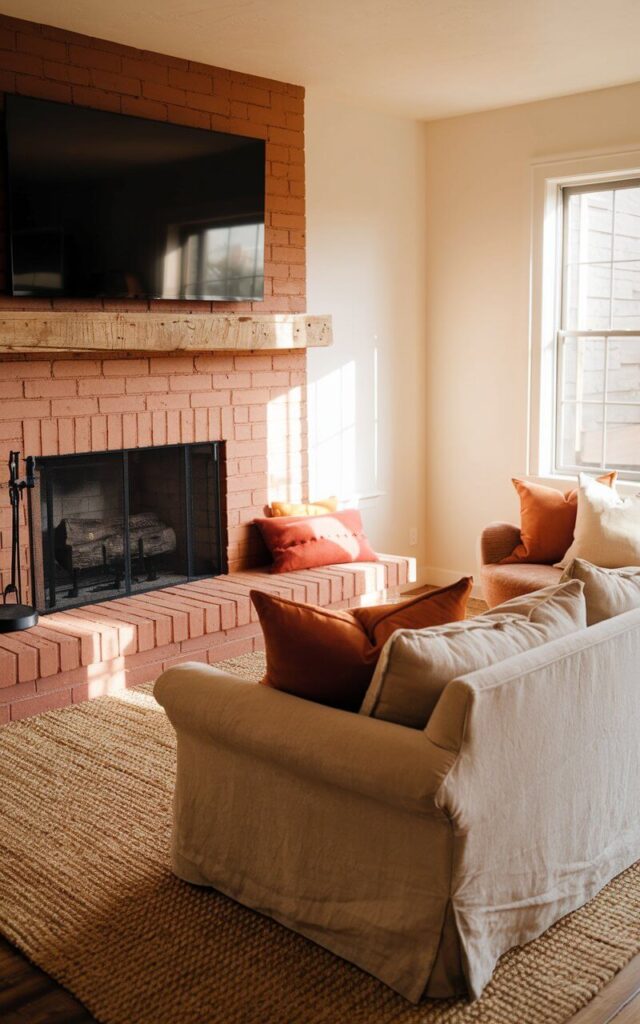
column 139, row 332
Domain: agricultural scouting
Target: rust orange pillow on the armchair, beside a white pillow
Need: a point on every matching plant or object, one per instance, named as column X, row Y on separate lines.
column 547, row 522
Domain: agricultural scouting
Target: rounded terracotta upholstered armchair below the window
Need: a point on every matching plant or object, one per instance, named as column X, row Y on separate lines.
column 501, row 583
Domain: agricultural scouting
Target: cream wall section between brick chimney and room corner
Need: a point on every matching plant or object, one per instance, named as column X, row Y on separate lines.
column 366, row 266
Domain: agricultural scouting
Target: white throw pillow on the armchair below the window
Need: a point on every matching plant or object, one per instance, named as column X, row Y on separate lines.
column 608, row 528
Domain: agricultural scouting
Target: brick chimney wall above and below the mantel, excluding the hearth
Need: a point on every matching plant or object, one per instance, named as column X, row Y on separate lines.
column 252, row 402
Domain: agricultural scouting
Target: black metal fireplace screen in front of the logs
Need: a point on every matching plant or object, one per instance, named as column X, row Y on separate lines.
column 121, row 523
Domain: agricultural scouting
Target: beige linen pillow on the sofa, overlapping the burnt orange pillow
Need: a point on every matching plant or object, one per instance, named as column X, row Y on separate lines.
column 416, row 665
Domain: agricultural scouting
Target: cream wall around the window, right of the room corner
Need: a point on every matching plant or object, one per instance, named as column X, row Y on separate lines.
column 478, row 291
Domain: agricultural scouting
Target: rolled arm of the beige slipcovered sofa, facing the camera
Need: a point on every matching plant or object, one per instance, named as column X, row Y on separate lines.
column 377, row 759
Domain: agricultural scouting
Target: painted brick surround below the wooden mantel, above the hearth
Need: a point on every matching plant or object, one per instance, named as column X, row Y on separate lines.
column 254, row 403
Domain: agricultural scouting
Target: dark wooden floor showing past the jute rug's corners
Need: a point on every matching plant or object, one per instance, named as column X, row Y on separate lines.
column 30, row 997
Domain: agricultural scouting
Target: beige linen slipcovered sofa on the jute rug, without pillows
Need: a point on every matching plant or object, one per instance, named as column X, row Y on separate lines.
column 421, row 857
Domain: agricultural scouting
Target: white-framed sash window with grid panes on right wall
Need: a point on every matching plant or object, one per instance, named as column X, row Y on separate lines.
column 598, row 389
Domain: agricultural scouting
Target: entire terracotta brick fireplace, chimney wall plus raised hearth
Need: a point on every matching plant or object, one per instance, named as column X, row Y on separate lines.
column 59, row 400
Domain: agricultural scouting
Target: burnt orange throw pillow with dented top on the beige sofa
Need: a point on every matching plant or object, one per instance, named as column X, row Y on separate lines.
column 330, row 657
